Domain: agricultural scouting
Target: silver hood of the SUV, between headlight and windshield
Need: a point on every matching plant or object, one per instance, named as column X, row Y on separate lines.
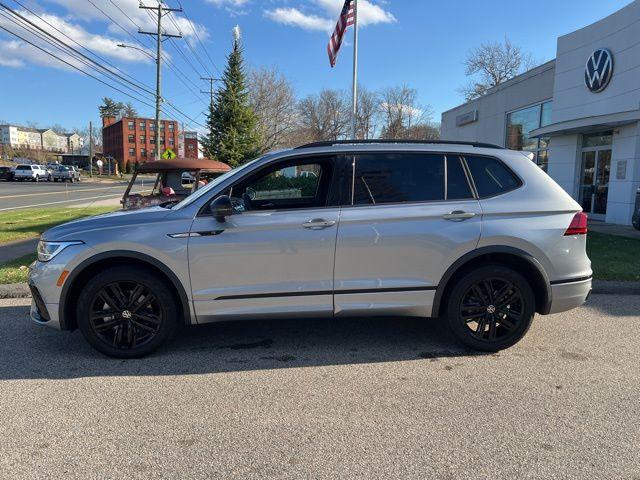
column 75, row 229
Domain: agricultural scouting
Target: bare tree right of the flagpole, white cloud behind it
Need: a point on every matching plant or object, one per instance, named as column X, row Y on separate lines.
column 401, row 111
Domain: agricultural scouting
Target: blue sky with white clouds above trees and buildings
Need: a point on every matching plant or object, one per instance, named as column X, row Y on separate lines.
column 420, row 43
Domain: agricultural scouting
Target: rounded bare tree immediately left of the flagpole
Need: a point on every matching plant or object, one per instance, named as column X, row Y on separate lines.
column 325, row 116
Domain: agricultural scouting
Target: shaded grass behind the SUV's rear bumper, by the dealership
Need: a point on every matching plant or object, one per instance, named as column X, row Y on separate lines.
column 614, row 257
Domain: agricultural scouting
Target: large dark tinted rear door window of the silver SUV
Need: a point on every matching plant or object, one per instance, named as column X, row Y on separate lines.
column 398, row 178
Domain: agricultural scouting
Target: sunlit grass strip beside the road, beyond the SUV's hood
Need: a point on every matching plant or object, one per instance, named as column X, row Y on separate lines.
column 31, row 222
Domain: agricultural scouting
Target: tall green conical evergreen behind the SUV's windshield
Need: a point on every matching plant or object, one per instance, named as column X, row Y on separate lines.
column 233, row 137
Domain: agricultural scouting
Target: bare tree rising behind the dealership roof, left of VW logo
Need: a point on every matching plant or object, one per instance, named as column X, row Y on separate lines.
column 492, row 64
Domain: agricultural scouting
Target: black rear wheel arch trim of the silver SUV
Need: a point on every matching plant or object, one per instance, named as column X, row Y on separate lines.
column 521, row 261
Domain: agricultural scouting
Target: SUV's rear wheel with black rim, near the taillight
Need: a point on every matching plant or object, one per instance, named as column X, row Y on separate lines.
column 490, row 321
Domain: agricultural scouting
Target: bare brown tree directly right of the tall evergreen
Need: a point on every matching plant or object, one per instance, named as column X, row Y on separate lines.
column 273, row 100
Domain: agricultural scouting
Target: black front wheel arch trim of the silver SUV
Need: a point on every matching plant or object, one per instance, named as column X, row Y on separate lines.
column 89, row 267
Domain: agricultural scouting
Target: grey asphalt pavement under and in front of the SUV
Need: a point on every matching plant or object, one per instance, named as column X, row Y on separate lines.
column 383, row 398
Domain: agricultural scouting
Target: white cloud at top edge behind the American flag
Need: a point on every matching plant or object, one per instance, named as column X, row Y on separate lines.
column 368, row 14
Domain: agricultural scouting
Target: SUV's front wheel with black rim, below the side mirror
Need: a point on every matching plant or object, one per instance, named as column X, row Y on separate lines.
column 150, row 324
